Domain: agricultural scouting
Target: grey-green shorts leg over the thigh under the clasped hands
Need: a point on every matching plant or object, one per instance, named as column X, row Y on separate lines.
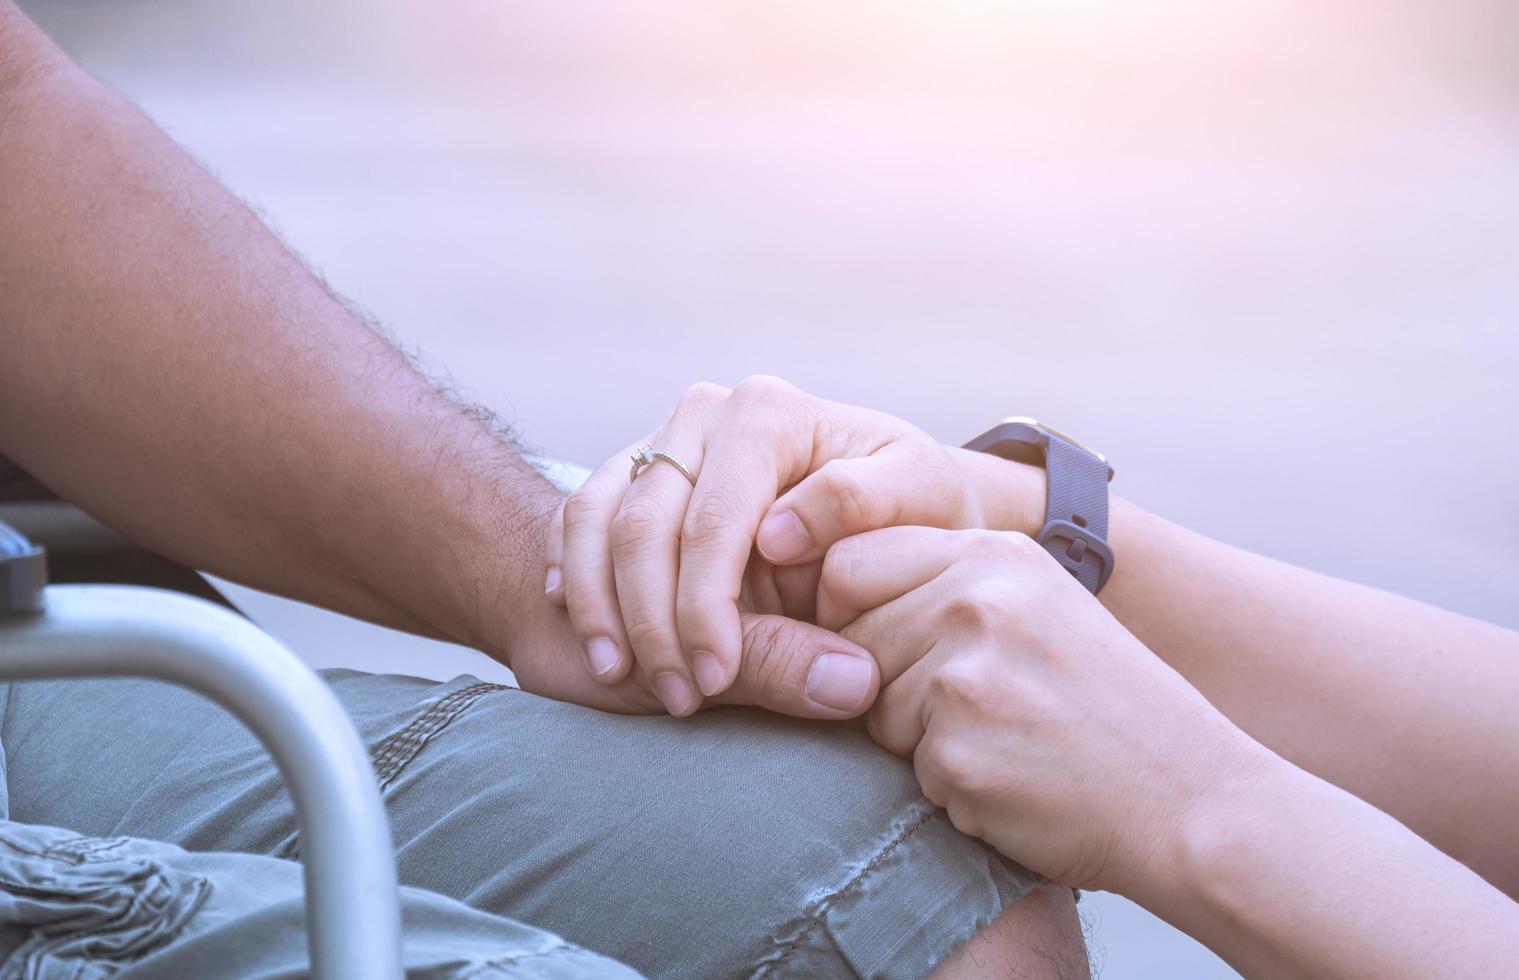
column 733, row 844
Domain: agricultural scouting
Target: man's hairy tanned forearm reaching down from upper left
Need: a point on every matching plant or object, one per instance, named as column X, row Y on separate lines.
column 171, row 368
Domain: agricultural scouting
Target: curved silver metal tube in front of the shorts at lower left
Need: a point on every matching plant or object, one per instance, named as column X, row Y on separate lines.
column 99, row 631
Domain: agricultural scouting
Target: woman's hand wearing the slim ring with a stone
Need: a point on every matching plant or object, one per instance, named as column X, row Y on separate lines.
column 652, row 571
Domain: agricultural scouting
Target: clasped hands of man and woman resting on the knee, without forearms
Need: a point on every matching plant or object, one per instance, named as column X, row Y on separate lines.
column 833, row 561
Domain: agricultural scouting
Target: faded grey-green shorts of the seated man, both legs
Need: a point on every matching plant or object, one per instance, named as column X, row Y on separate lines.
column 733, row 844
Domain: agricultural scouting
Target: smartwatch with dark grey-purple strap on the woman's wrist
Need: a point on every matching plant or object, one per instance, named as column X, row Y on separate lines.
column 1076, row 498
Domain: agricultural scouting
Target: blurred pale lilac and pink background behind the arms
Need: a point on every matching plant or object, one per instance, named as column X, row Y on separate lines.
column 1266, row 256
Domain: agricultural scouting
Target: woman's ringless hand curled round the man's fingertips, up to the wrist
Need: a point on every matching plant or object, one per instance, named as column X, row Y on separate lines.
column 1031, row 715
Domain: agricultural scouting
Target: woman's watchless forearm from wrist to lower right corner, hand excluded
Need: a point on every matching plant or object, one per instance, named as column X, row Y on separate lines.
column 1286, row 876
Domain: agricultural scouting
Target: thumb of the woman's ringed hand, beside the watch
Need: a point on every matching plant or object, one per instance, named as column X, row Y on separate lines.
column 905, row 482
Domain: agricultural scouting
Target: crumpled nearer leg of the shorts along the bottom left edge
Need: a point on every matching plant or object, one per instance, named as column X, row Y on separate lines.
column 77, row 908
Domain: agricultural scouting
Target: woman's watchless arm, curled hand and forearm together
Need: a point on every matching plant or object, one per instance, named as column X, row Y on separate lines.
column 1047, row 729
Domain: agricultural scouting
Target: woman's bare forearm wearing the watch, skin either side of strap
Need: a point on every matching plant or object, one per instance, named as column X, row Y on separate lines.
column 1409, row 707
